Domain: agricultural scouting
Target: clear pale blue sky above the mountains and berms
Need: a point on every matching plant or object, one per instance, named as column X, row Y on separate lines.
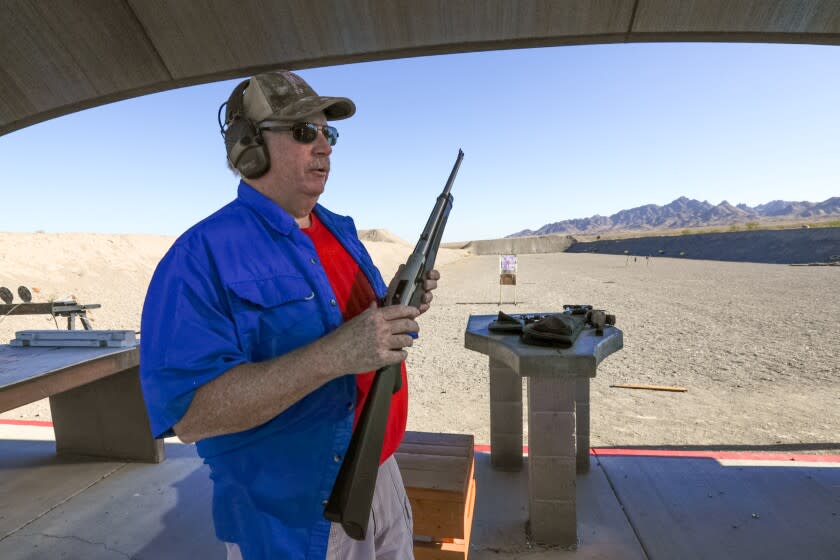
column 548, row 134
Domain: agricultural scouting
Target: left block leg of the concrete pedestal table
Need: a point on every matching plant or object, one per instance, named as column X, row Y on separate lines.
column 505, row 417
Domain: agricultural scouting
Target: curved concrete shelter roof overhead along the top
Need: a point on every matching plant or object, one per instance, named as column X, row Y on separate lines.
column 61, row 57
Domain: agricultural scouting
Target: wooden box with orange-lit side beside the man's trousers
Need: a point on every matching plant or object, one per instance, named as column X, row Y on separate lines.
column 439, row 475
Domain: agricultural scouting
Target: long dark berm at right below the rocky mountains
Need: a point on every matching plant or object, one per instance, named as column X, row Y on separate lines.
column 790, row 246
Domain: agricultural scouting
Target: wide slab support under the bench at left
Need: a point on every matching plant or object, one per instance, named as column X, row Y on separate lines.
column 106, row 418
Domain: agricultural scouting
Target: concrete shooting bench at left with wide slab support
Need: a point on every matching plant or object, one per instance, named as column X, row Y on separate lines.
column 95, row 398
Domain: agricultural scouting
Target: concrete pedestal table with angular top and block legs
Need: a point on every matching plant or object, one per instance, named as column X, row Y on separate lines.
column 558, row 406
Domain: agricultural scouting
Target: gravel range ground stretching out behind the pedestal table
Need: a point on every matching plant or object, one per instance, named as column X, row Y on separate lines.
column 756, row 346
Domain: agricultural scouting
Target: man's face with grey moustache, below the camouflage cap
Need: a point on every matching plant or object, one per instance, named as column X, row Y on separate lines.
column 298, row 172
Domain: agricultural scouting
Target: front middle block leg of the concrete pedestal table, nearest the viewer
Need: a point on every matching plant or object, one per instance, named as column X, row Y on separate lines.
column 551, row 460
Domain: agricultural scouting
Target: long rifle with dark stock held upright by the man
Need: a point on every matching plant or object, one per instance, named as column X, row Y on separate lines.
column 352, row 494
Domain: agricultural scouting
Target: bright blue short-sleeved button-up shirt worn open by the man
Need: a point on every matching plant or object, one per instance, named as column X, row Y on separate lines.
column 246, row 285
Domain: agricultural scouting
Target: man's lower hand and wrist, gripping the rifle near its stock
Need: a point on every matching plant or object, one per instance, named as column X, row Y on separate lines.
column 375, row 338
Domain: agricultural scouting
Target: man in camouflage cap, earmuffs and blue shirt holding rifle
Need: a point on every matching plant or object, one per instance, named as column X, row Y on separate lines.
column 258, row 327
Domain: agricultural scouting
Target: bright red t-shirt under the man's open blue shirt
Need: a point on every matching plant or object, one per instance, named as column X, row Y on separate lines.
column 354, row 294
